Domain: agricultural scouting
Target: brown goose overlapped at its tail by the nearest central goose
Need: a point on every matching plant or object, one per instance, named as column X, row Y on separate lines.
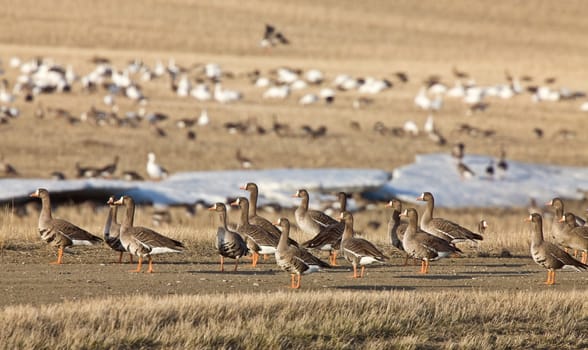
column 259, row 241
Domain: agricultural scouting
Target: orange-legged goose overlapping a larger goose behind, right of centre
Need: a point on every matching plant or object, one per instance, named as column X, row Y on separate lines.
column 421, row 245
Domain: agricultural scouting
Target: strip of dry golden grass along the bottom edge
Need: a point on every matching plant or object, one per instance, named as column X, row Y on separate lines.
column 341, row 320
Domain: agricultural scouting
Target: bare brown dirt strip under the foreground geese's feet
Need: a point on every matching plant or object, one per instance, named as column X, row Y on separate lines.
column 28, row 278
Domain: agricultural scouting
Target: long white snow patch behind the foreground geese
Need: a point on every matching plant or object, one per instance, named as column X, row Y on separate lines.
column 436, row 173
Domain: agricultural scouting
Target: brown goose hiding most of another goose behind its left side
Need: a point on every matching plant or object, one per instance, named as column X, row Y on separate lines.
column 141, row 241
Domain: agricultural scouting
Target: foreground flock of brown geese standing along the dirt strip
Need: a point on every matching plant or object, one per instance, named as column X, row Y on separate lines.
column 427, row 239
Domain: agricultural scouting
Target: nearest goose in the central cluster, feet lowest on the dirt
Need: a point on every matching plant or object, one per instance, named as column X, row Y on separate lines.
column 295, row 260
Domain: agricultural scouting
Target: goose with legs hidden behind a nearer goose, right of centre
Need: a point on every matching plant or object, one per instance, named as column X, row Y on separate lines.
column 442, row 228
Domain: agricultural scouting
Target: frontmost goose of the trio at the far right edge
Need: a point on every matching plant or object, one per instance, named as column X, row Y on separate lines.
column 548, row 254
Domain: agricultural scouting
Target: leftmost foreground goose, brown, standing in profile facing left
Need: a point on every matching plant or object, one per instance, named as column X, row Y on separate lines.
column 58, row 232
